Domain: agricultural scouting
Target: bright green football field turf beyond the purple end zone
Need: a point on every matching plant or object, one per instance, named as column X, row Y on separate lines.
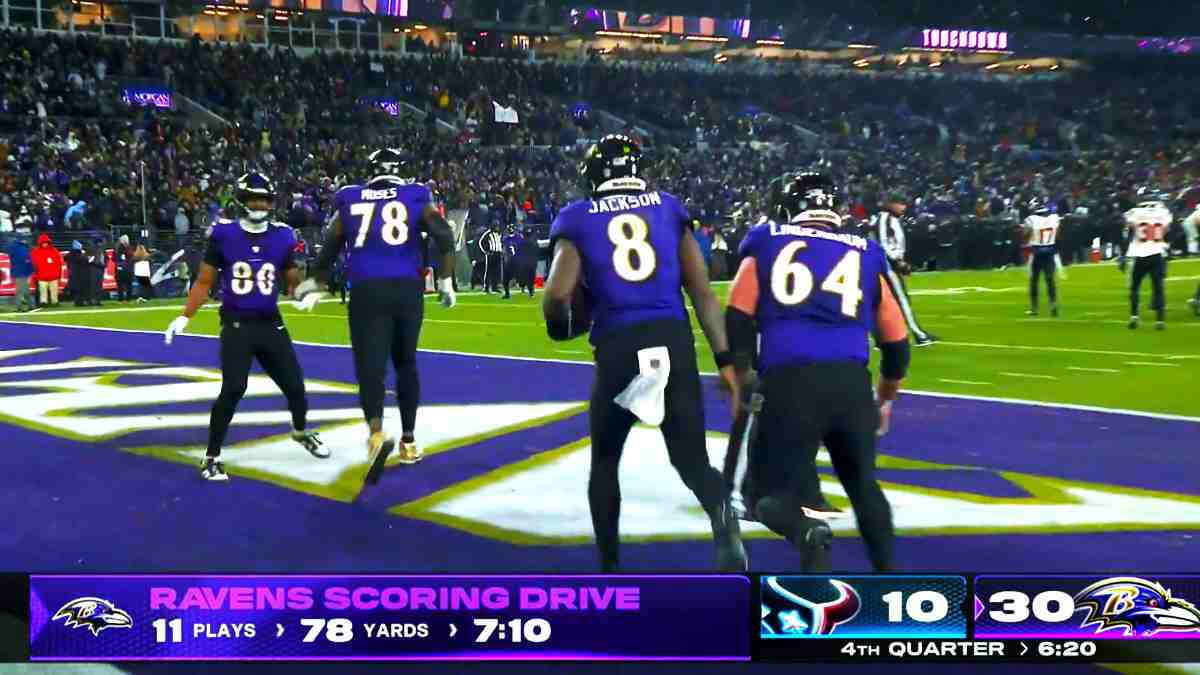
column 989, row 348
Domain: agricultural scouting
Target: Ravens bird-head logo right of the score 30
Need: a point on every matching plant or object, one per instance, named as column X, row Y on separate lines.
column 1137, row 607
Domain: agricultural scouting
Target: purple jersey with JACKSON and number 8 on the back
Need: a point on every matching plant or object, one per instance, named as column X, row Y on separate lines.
column 629, row 246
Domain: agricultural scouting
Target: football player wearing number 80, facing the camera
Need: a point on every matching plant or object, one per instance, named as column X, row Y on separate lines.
column 253, row 258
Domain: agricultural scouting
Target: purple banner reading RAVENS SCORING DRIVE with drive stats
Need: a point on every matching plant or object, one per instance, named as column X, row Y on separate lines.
column 389, row 618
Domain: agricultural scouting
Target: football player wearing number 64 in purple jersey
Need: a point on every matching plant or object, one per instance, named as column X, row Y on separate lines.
column 809, row 296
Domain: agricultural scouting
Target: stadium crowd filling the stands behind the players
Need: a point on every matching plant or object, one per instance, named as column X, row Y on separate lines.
column 959, row 147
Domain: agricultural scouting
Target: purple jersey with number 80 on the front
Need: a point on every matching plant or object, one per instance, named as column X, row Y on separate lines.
column 251, row 266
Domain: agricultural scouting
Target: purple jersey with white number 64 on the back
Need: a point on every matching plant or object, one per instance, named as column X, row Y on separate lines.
column 820, row 294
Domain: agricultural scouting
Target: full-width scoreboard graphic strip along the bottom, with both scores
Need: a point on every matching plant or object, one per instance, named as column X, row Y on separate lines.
column 773, row 618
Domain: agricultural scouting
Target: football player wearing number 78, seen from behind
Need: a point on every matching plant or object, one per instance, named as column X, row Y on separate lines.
column 380, row 226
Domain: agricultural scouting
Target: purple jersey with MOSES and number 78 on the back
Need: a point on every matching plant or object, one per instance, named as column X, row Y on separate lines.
column 383, row 224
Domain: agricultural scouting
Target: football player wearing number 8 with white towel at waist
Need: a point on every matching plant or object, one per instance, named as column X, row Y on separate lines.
column 632, row 250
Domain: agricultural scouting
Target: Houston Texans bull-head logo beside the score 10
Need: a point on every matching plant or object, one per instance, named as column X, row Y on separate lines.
column 785, row 613
